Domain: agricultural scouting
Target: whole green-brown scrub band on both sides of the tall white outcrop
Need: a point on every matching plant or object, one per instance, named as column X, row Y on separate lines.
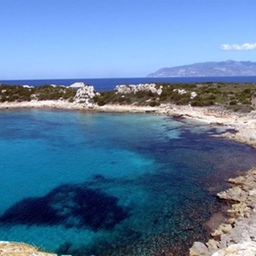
column 234, row 96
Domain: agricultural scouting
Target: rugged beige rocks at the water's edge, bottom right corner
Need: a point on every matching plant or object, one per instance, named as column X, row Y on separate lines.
column 237, row 236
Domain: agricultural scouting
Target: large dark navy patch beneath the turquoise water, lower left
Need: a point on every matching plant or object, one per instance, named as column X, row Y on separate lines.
column 68, row 205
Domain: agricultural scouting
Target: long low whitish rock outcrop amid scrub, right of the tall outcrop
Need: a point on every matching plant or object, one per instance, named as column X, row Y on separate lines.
column 130, row 88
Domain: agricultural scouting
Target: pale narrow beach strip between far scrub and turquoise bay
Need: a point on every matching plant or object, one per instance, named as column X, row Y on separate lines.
column 243, row 123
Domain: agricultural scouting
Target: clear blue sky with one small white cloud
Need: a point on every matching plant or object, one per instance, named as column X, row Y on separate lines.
column 120, row 38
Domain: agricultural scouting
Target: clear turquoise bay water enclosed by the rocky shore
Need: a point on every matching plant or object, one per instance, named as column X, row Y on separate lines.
column 111, row 184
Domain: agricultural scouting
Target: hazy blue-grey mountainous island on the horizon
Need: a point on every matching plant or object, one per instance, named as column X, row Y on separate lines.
column 204, row 69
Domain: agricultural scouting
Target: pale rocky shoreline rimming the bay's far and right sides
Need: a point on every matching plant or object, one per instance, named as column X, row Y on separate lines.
column 237, row 236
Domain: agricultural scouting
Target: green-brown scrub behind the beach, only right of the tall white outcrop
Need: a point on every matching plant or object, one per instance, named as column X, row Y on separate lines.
column 234, row 96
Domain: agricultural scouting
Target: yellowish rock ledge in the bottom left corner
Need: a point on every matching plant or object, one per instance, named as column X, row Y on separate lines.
column 20, row 249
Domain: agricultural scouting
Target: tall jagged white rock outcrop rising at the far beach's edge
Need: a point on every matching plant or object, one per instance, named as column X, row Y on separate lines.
column 85, row 95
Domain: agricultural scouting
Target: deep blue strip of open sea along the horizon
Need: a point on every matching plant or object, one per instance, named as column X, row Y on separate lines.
column 108, row 84
